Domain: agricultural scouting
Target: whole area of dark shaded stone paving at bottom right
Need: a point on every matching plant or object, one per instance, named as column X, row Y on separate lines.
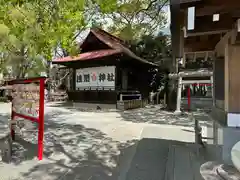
column 159, row 159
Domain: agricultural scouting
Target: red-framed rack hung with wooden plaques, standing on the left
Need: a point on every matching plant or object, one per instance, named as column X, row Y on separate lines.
column 28, row 104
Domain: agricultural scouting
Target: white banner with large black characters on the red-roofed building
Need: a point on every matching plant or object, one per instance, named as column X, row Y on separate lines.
column 96, row 78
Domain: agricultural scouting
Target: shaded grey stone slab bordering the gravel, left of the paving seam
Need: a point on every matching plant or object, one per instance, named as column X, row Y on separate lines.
column 149, row 162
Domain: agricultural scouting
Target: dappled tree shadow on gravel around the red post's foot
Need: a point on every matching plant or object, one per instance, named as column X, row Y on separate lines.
column 71, row 151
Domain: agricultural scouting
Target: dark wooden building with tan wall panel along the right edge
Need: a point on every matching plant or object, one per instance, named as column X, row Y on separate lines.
column 213, row 27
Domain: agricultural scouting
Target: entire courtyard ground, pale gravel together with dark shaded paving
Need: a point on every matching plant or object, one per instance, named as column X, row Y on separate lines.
column 104, row 146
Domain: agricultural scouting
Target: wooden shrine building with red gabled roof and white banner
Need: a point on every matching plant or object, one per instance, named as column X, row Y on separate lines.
column 105, row 69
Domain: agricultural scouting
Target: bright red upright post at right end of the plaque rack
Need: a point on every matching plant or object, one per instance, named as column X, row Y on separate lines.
column 41, row 120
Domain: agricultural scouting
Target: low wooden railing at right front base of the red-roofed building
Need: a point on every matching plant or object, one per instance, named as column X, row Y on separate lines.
column 131, row 104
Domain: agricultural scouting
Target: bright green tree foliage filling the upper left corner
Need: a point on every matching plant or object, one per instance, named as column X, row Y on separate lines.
column 32, row 29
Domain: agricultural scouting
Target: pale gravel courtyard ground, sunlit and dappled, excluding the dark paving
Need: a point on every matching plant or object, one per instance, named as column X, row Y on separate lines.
column 89, row 145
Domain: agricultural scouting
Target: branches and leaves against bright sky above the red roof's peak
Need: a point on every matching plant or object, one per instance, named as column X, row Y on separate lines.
column 135, row 18
